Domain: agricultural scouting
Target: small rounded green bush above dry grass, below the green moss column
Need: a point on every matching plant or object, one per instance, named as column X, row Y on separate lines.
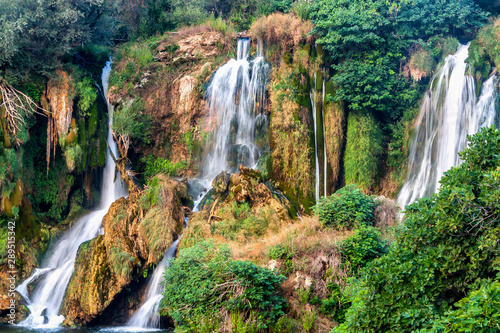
column 347, row 208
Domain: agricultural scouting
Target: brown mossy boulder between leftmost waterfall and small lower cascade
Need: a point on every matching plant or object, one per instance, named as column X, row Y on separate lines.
column 137, row 232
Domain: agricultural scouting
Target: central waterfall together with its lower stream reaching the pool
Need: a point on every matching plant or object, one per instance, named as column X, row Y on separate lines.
column 235, row 97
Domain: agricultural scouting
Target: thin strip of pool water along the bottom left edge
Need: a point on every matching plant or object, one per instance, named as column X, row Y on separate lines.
column 110, row 329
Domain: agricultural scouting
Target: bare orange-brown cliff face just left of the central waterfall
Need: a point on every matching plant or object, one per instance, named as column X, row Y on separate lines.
column 172, row 92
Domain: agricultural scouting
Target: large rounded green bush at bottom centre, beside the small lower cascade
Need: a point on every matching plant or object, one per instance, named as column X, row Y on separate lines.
column 203, row 283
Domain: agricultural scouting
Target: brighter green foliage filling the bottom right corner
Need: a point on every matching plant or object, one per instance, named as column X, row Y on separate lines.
column 478, row 312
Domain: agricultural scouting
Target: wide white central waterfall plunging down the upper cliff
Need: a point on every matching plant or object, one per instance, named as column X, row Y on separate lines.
column 236, row 96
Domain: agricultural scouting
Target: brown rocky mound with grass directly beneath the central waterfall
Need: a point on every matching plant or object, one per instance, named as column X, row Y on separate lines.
column 240, row 207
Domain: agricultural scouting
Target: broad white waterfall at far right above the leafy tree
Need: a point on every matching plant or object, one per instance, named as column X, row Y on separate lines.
column 450, row 111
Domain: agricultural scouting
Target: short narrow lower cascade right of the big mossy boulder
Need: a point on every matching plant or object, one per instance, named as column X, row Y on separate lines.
column 148, row 315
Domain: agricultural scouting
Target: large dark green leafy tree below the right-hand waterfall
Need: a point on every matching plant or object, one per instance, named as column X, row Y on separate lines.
column 448, row 243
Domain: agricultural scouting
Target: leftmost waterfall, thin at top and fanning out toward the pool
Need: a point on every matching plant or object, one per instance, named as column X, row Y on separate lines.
column 55, row 273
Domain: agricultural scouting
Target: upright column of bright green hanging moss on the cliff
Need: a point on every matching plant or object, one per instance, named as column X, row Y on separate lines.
column 363, row 149
